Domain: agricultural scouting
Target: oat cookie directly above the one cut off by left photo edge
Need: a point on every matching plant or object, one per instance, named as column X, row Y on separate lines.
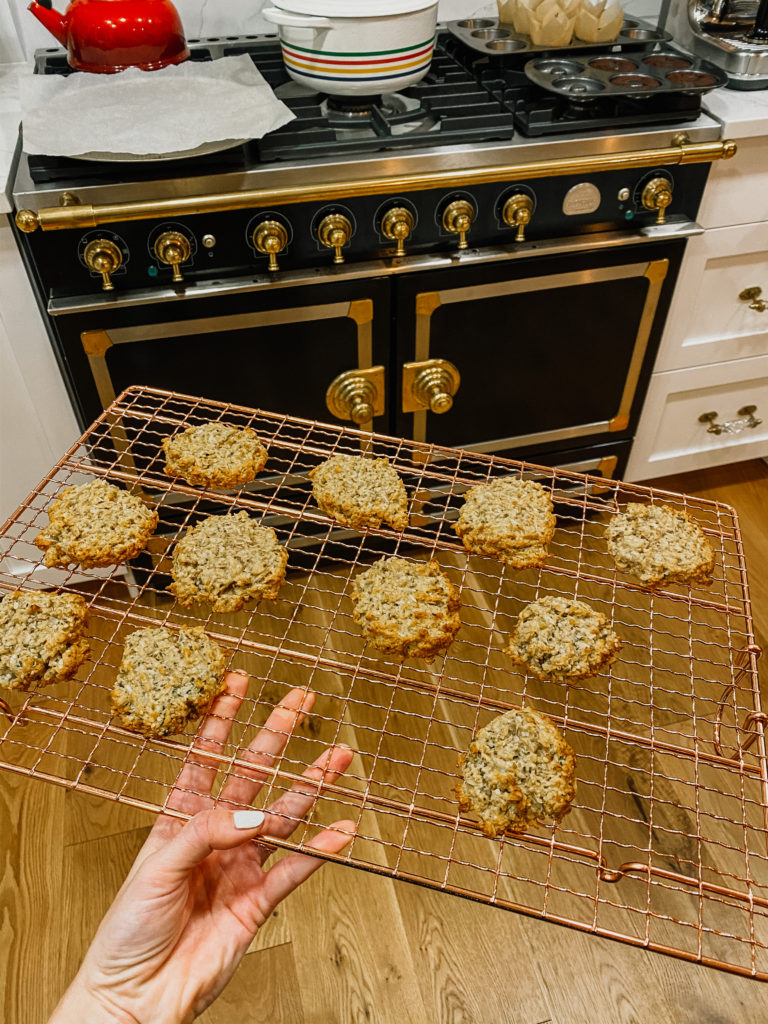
column 95, row 525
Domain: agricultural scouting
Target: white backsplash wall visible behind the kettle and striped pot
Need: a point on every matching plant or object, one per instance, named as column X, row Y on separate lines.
column 22, row 35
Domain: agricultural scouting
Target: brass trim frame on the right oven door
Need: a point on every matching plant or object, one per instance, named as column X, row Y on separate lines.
column 655, row 272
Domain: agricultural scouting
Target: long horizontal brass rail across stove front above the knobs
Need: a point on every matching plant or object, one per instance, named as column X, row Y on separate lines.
column 88, row 216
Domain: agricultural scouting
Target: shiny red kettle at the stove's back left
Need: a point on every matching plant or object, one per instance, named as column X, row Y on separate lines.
column 107, row 36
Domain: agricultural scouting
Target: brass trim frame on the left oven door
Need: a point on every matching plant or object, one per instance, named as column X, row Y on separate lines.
column 98, row 344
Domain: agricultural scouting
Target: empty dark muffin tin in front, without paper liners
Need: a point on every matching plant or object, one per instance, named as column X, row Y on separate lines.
column 591, row 75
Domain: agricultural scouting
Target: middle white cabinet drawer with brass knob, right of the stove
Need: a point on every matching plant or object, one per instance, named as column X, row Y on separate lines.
column 708, row 322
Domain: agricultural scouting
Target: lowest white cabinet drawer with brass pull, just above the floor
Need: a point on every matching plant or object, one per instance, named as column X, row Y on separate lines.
column 671, row 439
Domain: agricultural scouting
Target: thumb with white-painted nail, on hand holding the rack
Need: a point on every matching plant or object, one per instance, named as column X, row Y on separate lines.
column 208, row 831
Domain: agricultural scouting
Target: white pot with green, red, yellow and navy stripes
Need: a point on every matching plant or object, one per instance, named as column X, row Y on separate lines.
column 330, row 47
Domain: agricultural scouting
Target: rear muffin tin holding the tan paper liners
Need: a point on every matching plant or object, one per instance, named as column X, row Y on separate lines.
column 489, row 36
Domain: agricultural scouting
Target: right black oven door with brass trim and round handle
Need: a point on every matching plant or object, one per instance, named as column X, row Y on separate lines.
column 552, row 352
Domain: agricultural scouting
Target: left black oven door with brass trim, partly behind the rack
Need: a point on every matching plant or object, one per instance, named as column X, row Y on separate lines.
column 280, row 349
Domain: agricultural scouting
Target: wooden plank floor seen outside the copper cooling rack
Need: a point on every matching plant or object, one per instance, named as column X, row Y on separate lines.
column 351, row 947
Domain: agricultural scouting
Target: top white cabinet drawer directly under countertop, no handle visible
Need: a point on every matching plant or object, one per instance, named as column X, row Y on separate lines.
column 736, row 189
